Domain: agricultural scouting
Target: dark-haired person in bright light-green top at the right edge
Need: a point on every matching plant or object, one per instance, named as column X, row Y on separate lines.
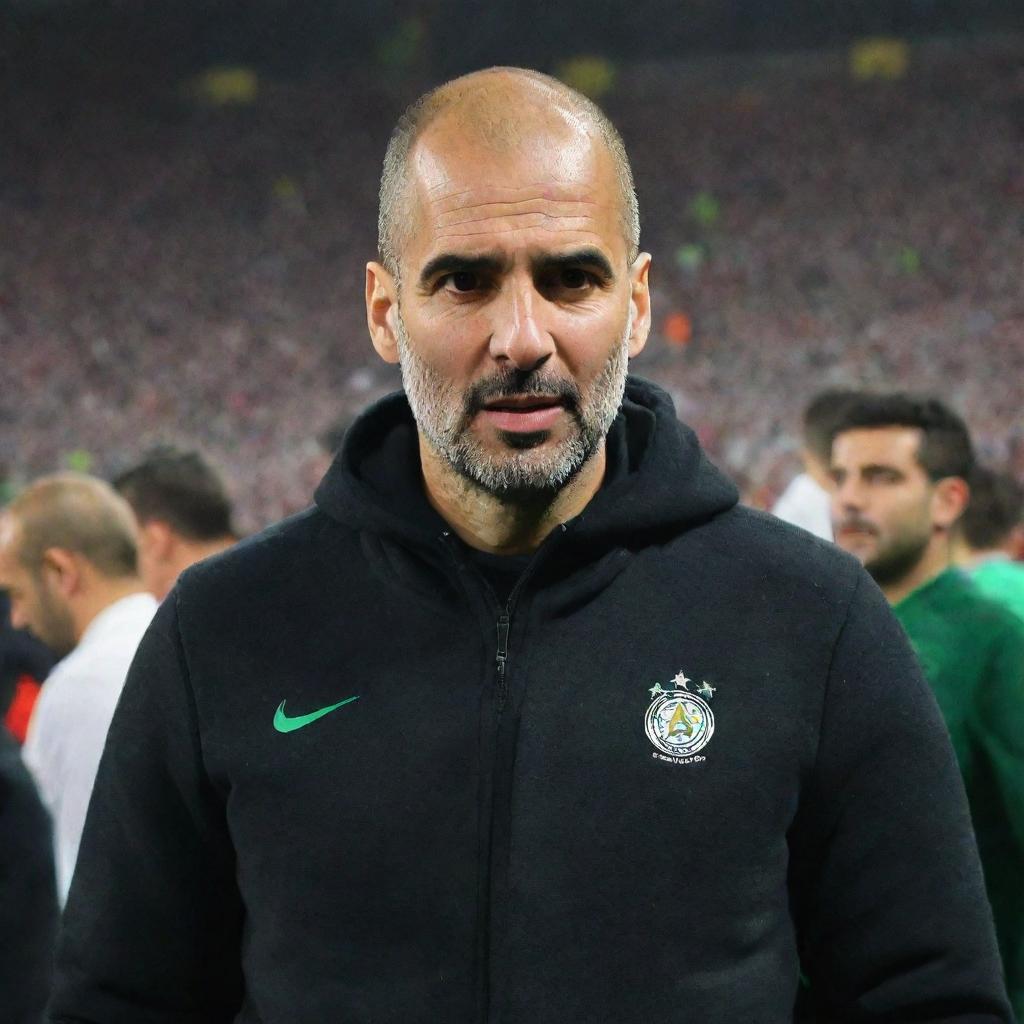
column 983, row 543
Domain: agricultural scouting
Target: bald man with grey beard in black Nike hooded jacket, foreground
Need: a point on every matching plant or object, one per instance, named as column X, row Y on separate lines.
column 526, row 720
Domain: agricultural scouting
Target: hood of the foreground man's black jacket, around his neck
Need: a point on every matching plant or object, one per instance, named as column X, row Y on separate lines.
column 658, row 483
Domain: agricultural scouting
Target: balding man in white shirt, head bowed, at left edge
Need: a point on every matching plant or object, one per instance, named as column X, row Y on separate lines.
column 69, row 562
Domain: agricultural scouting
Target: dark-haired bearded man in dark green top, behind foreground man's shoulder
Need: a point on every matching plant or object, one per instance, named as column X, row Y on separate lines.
column 901, row 465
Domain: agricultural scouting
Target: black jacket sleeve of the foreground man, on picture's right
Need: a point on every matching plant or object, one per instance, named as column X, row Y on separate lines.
column 891, row 912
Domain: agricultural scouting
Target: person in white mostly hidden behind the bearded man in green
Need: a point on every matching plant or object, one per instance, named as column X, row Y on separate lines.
column 807, row 501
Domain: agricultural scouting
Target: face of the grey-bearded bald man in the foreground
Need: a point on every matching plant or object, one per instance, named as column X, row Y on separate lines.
column 518, row 311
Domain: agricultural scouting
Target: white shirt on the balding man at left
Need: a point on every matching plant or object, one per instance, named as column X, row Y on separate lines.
column 71, row 718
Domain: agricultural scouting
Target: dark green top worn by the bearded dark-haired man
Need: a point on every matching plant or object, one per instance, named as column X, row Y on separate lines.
column 972, row 653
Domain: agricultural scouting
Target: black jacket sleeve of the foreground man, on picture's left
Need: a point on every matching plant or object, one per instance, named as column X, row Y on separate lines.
column 151, row 932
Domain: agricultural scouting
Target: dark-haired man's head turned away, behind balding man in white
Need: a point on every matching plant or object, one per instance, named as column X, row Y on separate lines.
column 184, row 513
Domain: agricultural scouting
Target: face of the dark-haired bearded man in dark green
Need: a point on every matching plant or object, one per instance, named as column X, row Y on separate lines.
column 883, row 502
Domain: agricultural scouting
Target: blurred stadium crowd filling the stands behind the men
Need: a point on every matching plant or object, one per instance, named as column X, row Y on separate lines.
column 185, row 273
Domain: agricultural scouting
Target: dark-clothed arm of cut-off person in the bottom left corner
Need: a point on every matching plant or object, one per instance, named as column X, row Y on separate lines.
column 28, row 898
